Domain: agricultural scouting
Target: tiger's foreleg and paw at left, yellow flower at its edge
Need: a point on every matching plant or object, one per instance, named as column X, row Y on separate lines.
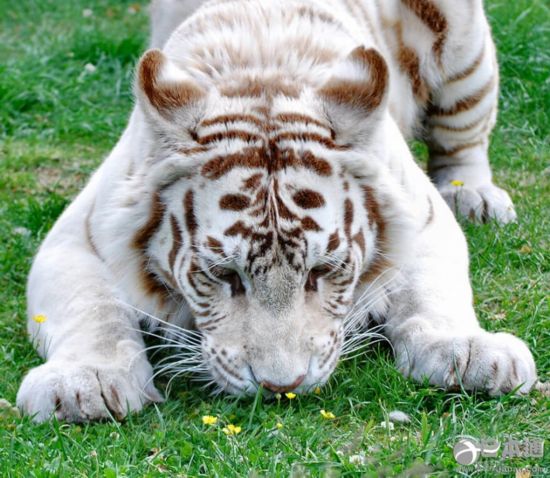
column 96, row 363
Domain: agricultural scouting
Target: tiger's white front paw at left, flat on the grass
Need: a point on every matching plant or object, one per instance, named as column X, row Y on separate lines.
column 81, row 392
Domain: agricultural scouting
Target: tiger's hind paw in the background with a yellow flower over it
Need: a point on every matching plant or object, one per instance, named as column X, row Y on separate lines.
column 479, row 203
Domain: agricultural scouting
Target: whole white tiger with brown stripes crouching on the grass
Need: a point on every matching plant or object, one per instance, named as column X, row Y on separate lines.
column 264, row 195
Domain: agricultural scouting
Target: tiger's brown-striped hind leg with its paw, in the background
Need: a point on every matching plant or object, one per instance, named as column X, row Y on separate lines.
column 459, row 121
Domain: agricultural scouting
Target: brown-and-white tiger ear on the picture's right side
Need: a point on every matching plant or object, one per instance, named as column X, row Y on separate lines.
column 356, row 94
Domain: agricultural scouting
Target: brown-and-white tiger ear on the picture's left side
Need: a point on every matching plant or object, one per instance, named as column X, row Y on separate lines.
column 163, row 86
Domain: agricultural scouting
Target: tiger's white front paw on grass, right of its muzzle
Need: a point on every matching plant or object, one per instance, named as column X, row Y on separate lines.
column 495, row 363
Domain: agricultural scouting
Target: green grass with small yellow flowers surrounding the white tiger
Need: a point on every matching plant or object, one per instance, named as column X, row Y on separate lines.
column 56, row 124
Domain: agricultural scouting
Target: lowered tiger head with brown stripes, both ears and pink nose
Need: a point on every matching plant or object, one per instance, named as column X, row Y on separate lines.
column 268, row 210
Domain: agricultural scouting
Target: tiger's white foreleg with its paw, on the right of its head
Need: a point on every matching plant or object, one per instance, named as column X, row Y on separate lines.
column 432, row 323
